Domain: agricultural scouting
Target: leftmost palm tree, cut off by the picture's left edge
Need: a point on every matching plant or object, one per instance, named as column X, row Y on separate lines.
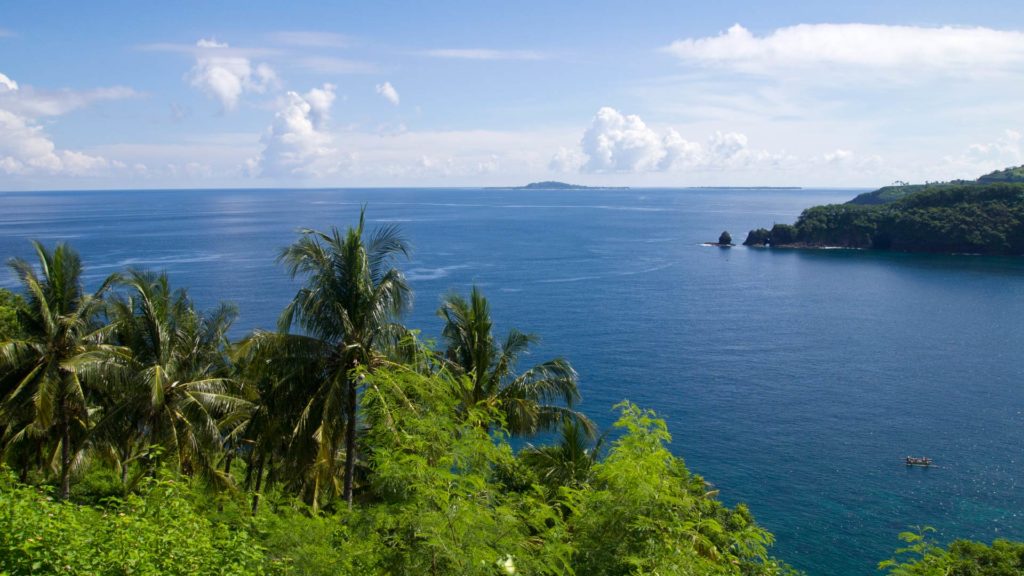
column 56, row 355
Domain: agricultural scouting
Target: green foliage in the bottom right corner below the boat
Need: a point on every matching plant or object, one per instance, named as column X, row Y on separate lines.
column 921, row 557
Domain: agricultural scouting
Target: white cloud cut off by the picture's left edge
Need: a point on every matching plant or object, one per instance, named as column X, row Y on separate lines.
column 25, row 147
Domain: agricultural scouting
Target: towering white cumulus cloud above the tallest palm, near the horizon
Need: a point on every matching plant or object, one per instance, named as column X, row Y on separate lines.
column 296, row 145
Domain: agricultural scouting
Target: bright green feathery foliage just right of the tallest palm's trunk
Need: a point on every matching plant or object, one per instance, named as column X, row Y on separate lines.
column 441, row 510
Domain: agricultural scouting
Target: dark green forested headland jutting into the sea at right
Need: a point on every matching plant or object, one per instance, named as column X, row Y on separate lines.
column 983, row 217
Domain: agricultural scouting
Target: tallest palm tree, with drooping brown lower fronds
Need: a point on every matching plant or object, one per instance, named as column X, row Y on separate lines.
column 347, row 310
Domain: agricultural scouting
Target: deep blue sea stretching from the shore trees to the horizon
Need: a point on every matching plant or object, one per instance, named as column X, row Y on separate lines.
column 794, row 381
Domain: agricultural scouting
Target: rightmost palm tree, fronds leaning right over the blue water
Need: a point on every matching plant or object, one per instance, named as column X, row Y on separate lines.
column 525, row 399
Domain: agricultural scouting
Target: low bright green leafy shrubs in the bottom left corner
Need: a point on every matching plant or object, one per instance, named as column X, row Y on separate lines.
column 157, row 532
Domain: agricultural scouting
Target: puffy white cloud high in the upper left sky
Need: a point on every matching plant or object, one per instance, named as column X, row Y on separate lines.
column 226, row 75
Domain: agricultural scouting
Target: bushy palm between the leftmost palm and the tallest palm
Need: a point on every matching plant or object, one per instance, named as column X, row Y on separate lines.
column 176, row 389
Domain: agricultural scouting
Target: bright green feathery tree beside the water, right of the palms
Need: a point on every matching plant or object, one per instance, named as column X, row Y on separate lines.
column 665, row 520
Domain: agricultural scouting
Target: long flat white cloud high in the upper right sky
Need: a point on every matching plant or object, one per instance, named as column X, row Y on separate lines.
column 862, row 46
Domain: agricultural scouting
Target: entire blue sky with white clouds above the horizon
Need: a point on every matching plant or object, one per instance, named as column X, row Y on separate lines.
column 443, row 94
